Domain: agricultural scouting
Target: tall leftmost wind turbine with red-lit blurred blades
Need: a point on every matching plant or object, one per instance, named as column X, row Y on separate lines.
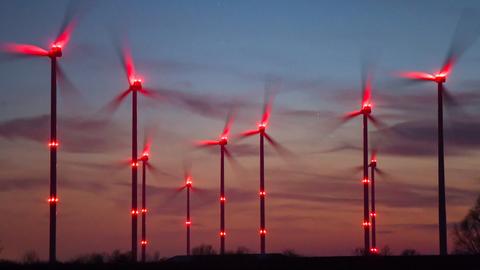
column 54, row 52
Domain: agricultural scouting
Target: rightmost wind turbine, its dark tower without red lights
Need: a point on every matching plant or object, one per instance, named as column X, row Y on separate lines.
column 465, row 35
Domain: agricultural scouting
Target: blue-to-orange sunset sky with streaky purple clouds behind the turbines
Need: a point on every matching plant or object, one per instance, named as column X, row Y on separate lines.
column 216, row 53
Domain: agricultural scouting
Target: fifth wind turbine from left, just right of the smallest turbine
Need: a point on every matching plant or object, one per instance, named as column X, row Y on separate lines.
column 222, row 142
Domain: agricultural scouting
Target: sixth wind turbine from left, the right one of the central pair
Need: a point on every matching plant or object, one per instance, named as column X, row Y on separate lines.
column 262, row 132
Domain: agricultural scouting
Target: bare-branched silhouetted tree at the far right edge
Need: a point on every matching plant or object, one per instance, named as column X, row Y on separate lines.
column 467, row 232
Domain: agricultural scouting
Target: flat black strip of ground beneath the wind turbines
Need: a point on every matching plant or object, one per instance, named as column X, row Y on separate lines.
column 274, row 261
